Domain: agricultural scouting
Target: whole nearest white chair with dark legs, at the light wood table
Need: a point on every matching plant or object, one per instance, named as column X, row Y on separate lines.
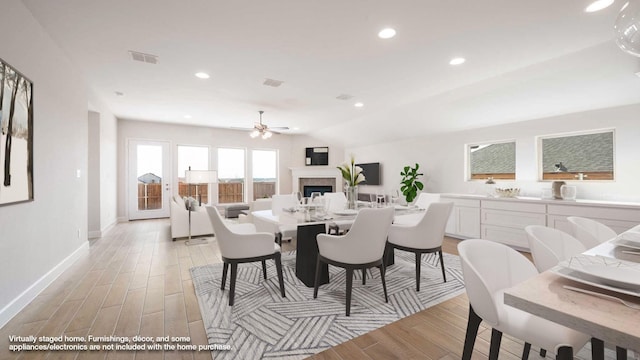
column 488, row 269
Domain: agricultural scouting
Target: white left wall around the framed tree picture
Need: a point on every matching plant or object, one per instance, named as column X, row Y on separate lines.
column 36, row 237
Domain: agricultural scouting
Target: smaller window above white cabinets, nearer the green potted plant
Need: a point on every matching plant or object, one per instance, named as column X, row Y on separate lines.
column 496, row 160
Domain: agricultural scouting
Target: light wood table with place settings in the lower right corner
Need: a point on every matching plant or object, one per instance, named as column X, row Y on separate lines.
column 611, row 272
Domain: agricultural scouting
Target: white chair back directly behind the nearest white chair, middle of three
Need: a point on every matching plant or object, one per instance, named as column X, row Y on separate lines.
column 549, row 246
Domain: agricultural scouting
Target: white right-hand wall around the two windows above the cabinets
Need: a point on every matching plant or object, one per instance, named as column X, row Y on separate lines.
column 441, row 156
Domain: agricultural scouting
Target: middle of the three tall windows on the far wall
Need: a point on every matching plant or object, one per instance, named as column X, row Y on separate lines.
column 231, row 165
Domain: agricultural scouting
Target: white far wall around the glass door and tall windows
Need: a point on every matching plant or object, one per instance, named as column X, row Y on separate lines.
column 290, row 149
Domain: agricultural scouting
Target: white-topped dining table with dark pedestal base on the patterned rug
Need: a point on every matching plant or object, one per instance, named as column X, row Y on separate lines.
column 310, row 223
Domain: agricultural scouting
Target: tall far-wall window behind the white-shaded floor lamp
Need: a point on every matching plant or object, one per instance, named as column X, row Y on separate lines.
column 196, row 158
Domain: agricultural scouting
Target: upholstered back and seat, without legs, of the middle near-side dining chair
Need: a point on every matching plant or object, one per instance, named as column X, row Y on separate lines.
column 366, row 240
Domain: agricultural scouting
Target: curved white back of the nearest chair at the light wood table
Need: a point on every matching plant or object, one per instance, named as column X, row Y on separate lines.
column 489, row 267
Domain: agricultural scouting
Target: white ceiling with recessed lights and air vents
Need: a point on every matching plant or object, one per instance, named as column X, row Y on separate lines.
column 525, row 60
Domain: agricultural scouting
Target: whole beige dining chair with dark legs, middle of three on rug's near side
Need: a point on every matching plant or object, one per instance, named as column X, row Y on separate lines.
column 359, row 249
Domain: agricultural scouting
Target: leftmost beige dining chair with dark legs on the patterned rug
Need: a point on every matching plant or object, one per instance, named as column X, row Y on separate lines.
column 242, row 244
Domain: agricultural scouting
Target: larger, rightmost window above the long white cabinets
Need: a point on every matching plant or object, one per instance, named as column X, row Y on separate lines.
column 577, row 156
